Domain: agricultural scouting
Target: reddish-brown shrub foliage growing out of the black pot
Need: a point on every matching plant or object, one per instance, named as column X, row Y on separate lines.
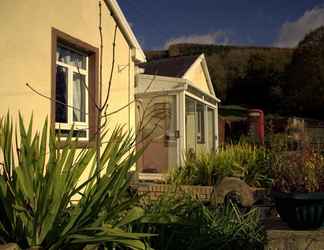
column 295, row 167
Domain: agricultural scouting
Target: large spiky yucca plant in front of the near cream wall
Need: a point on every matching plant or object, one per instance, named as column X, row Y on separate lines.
column 47, row 199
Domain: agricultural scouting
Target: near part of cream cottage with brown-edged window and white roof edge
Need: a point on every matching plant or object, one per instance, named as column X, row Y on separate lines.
column 54, row 46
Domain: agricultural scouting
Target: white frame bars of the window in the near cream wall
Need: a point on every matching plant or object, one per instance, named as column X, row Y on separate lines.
column 70, row 71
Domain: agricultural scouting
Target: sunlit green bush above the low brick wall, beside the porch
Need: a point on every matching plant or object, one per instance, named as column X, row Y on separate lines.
column 248, row 162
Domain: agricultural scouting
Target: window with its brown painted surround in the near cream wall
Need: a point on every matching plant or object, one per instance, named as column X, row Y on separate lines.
column 74, row 79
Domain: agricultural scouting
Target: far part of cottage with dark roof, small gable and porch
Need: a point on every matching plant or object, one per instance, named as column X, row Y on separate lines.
column 177, row 111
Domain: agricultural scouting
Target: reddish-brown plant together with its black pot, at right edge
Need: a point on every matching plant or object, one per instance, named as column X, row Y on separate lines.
column 297, row 187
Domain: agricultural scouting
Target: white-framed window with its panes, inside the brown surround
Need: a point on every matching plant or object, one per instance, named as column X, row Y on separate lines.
column 71, row 87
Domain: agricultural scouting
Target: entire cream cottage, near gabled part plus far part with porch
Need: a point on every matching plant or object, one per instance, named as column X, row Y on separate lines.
column 50, row 66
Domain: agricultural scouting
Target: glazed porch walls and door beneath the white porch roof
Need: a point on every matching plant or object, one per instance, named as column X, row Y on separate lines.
column 171, row 124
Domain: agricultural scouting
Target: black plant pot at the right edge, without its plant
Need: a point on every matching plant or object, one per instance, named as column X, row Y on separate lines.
column 301, row 211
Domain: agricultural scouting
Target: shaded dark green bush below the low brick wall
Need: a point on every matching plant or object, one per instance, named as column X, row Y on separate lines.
column 182, row 222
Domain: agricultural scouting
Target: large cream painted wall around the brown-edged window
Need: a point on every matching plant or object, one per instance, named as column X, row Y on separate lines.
column 25, row 48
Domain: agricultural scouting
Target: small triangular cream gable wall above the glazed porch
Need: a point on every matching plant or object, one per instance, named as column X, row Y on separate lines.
column 197, row 76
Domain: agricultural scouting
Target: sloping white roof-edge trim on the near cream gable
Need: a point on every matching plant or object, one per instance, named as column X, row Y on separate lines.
column 120, row 19
